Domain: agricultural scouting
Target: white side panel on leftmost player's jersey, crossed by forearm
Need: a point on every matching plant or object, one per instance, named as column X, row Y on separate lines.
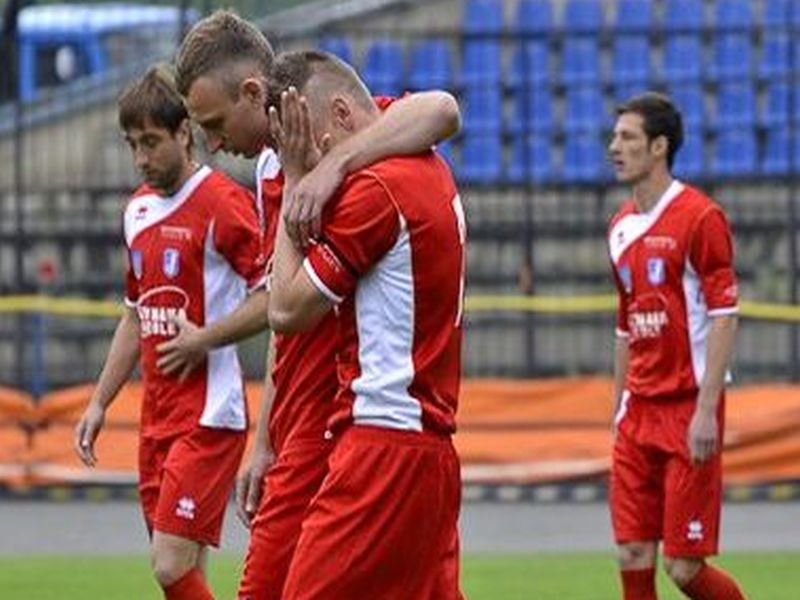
column 224, row 290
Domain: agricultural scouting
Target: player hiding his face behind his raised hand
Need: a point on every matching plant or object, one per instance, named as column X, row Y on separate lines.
column 391, row 260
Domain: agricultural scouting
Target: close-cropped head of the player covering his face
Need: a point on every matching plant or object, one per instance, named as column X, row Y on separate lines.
column 338, row 101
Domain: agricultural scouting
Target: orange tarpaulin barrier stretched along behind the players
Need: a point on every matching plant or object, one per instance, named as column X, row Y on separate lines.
column 523, row 431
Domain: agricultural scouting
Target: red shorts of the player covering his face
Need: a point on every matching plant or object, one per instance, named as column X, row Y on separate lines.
column 384, row 524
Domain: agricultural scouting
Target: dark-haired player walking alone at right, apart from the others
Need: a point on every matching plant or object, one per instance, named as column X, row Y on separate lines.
column 672, row 258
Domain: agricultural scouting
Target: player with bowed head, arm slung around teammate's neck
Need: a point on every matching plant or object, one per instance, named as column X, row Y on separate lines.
column 222, row 67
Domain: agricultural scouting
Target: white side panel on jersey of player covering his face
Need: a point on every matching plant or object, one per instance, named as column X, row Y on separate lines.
column 384, row 305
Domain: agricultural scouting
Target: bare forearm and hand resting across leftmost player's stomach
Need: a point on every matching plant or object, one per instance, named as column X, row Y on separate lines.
column 181, row 354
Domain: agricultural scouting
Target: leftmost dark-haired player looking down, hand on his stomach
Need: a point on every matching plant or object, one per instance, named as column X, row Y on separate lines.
column 195, row 251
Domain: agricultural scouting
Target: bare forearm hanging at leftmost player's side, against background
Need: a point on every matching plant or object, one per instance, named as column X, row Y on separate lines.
column 120, row 362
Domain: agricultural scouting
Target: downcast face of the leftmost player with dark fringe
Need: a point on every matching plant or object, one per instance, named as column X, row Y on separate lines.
column 160, row 155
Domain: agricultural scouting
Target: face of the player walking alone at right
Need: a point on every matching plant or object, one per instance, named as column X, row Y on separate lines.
column 630, row 150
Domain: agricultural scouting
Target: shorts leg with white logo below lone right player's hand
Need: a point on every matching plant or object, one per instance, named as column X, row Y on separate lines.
column 692, row 507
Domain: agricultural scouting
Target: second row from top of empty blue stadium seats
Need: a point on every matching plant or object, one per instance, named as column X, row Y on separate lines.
column 431, row 63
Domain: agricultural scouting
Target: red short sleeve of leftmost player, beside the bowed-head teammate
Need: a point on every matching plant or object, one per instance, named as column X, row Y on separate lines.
column 238, row 237
